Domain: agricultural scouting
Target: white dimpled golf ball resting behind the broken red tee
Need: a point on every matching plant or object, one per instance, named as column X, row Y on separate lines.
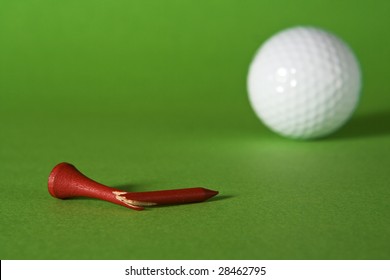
column 304, row 83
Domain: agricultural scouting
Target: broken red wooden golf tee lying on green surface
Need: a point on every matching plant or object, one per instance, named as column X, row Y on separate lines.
column 65, row 181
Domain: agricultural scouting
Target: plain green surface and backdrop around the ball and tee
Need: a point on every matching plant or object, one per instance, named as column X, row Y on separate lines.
column 147, row 95
